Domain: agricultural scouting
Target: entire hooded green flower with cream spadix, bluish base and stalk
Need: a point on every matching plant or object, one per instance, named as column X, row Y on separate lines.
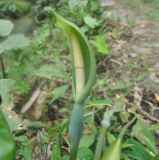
column 84, row 71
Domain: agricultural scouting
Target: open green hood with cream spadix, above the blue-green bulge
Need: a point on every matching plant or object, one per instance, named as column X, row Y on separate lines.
column 83, row 60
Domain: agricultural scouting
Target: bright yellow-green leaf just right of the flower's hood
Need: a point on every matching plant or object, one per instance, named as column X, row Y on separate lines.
column 101, row 45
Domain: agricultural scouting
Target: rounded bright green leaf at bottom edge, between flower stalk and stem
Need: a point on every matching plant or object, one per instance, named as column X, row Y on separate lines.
column 84, row 153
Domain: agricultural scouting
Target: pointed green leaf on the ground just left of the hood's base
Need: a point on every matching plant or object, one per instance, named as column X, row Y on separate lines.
column 59, row 92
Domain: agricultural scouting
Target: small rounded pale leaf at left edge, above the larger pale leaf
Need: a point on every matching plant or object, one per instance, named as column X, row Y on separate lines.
column 6, row 27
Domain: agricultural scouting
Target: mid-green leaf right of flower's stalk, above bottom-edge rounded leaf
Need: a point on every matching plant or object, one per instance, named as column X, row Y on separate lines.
column 87, row 140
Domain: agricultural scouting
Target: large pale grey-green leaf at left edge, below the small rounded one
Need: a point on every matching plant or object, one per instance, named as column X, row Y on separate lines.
column 13, row 42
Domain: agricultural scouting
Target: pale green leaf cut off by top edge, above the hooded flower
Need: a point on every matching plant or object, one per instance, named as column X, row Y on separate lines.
column 77, row 3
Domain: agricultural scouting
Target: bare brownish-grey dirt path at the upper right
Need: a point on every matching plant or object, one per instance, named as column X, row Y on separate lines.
column 144, row 43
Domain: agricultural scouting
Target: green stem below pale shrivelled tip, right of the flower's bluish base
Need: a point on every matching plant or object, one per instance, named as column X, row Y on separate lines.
column 100, row 144
